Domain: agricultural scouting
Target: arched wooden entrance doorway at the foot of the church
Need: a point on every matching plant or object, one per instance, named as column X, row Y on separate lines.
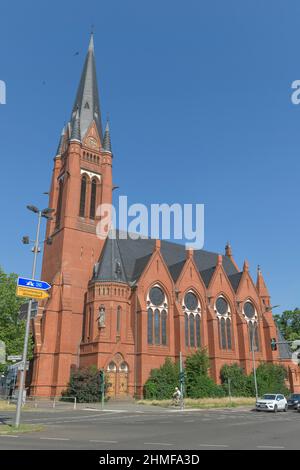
column 117, row 378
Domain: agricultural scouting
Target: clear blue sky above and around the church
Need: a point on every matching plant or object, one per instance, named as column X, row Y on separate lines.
column 198, row 94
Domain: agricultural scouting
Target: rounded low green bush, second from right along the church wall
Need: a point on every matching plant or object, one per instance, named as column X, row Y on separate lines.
column 239, row 383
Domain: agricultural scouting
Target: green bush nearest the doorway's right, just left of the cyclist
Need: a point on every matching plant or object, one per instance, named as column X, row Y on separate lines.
column 162, row 382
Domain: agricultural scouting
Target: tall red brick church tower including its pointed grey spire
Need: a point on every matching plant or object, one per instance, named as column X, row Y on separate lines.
column 81, row 181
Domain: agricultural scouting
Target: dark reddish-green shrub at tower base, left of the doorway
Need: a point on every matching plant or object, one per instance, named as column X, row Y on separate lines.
column 85, row 385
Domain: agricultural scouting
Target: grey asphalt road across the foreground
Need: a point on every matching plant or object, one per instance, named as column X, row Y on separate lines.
column 138, row 427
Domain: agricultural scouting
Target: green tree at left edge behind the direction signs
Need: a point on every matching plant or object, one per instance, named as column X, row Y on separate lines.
column 12, row 329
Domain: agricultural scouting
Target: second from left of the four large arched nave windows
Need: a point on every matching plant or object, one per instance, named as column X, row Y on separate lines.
column 192, row 320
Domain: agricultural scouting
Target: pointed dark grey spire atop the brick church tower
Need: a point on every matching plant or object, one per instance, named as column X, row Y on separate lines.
column 87, row 99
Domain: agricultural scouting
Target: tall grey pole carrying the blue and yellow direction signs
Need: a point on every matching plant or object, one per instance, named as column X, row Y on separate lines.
column 25, row 348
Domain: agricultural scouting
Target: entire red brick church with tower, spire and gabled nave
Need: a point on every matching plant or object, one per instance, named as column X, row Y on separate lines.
column 125, row 305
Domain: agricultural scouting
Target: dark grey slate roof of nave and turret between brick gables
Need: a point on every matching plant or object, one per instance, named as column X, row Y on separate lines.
column 133, row 255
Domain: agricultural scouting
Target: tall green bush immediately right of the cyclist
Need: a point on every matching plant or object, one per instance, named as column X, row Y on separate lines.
column 198, row 383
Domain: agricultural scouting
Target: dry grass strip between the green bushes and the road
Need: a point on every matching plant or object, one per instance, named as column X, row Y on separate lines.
column 204, row 403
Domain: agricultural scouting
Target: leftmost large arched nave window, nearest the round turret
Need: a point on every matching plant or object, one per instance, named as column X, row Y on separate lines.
column 157, row 316
